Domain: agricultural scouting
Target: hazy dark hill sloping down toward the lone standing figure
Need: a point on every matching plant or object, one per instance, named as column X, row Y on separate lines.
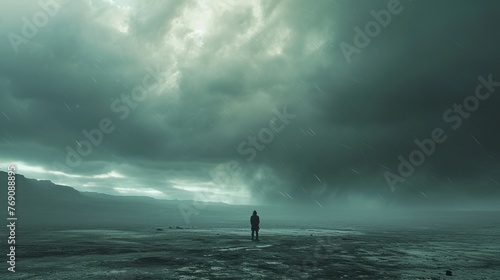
column 43, row 203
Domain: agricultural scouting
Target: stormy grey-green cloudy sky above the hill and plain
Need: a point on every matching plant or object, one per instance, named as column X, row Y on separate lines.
column 320, row 103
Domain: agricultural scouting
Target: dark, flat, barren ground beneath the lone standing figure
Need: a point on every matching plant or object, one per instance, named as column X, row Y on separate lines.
column 418, row 252
